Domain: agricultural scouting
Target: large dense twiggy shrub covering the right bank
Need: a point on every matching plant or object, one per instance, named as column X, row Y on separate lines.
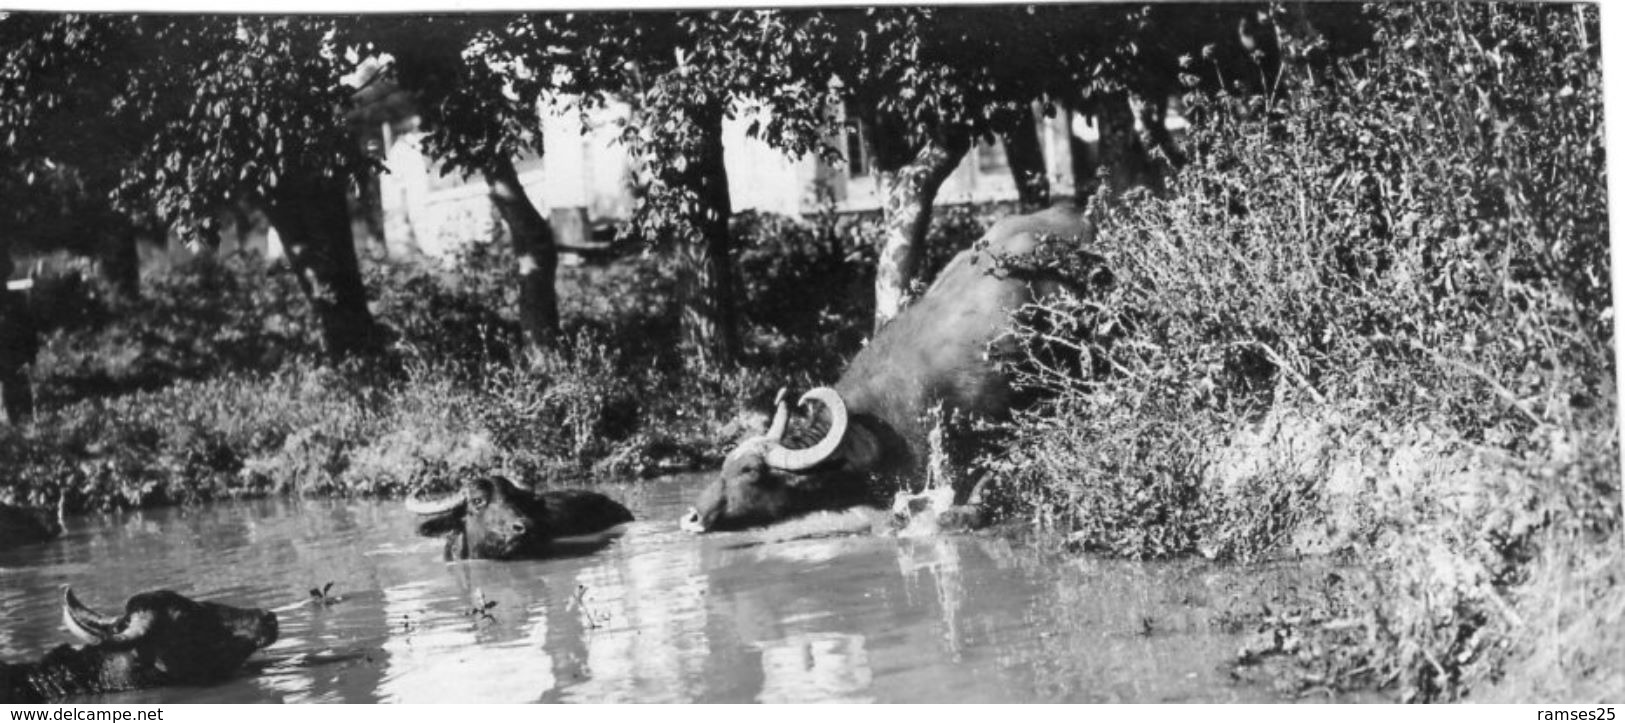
column 1421, row 246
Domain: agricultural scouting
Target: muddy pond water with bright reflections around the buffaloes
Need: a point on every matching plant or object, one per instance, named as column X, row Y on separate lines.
column 795, row 615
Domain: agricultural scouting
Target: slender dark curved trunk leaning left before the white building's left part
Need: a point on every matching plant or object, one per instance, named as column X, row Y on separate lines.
column 535, row 253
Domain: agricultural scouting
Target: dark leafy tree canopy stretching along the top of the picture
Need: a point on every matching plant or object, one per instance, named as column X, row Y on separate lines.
column 233, row 108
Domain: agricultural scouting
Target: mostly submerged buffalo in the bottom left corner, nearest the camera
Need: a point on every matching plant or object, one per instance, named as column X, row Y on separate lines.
column 162, row 639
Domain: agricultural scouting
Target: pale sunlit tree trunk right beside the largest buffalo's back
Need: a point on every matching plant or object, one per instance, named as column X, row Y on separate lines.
column 908, row 219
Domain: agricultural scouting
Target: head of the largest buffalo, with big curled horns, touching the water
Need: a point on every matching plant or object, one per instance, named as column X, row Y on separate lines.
column 766, row 482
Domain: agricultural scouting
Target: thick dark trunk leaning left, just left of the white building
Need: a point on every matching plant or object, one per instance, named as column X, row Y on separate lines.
column 311, row 214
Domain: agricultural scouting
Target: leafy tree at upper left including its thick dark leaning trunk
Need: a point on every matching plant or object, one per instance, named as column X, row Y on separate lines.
column 206, row 111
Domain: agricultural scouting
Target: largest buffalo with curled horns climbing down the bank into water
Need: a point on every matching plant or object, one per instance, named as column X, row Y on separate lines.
column 934, row 357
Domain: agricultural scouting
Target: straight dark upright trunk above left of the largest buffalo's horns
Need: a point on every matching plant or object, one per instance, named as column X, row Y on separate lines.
column 709, row 313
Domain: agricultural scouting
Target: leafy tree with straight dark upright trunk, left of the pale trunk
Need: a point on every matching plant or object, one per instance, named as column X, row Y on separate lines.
column 685, row 80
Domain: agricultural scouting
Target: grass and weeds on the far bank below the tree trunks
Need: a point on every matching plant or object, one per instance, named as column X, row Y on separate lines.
column 210, row 386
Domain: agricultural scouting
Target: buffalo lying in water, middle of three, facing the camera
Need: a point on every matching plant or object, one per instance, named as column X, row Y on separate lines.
column 495, row 519
